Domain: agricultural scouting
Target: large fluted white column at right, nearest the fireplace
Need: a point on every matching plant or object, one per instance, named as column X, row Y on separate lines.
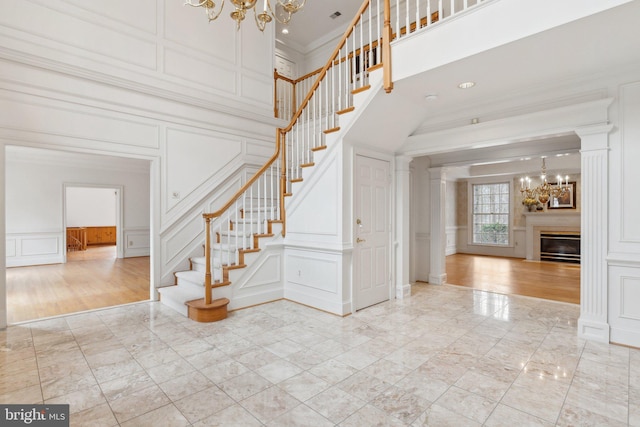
column 593, row 323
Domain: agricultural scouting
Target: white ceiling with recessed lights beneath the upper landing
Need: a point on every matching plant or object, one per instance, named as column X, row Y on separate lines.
column 569, row 64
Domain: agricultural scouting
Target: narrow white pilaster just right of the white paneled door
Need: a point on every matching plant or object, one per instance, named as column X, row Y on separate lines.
column 403, row 222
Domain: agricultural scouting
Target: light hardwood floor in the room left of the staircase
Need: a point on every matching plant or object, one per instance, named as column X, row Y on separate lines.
column 90, row 279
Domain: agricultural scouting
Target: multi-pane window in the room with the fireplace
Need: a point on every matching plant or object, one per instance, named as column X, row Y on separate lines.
column 491, row 214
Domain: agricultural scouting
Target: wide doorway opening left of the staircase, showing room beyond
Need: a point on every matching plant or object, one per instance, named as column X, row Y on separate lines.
column 108, row 264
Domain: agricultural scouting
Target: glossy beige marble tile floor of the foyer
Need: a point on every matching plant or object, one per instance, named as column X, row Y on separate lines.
column 447, row 356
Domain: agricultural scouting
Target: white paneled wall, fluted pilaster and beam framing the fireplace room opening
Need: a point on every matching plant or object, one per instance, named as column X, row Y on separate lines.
column 610, row 280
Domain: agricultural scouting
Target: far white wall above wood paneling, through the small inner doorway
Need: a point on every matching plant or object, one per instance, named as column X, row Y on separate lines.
column 91, row 206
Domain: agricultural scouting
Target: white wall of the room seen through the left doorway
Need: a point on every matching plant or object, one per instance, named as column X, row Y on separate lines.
column 34, row 202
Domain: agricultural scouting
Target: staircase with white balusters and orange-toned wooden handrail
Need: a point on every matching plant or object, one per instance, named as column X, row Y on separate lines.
column 255, row 216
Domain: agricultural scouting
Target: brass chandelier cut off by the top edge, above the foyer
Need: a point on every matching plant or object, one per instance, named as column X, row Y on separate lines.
column 282, row 11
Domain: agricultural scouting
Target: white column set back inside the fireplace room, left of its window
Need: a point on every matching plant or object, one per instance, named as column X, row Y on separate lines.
column 438, row 236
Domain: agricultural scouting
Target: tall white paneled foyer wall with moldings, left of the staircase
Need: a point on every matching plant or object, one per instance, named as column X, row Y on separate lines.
column 147, row 80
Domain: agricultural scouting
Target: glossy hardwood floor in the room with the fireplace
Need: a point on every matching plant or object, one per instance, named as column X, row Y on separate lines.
column 548, row 280
